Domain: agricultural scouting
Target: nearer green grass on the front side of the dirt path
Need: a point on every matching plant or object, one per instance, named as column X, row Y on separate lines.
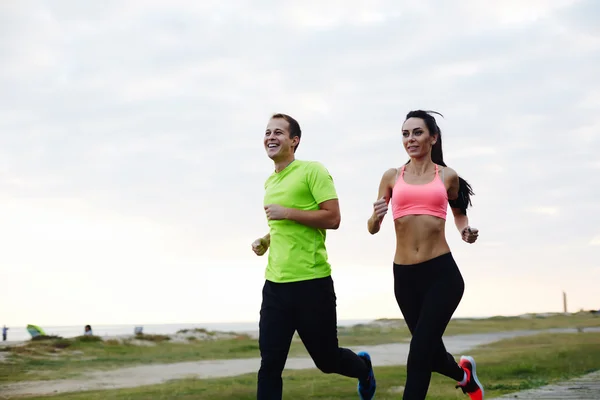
column 504, row 367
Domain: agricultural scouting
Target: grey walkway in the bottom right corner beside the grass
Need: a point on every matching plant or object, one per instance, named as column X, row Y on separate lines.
column 586, row 387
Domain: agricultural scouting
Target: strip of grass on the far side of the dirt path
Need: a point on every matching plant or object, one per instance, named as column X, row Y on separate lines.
column 63, row 358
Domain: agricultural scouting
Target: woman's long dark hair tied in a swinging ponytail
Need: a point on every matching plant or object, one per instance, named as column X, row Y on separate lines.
column 437, row 156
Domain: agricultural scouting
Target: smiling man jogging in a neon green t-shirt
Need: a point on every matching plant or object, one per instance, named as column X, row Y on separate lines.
column 300, row 203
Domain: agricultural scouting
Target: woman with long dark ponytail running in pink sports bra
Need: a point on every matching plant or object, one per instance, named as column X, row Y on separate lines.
column 427, row 283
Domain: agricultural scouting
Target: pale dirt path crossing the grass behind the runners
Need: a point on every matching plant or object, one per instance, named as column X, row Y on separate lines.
column 383, row 355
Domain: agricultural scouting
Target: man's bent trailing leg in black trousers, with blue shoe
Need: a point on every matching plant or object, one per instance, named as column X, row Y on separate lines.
column 316, row 321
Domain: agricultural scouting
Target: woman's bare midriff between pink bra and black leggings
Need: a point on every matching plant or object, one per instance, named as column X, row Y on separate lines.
column 419, row 238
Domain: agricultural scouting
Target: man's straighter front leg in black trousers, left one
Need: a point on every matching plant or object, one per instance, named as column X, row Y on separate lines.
column 276, row 330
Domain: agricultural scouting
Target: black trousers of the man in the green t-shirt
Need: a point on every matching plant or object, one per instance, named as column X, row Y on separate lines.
column 310, row 308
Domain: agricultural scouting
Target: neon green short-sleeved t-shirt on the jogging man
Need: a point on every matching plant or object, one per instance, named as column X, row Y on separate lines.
column 297, row 252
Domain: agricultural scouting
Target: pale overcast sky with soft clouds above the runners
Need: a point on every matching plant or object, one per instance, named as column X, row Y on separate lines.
column 132, row 164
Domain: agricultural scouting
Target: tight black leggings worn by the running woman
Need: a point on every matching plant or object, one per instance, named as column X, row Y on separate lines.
column 428, row 294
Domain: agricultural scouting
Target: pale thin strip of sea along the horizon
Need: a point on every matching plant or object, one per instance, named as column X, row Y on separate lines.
column 19, row 333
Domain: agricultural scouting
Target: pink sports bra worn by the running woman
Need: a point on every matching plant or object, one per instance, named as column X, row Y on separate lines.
column 430, row 198
